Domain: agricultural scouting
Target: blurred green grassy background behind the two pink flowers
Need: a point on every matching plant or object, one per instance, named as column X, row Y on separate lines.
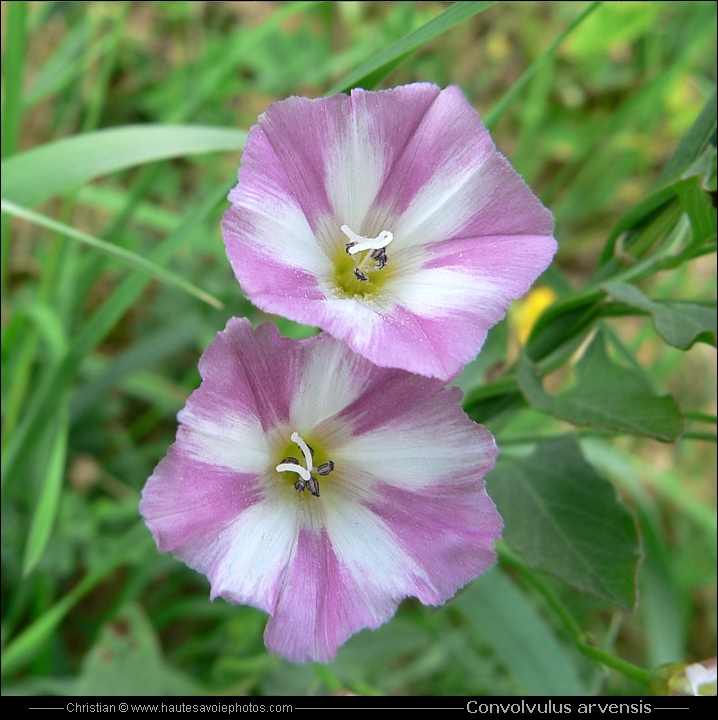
column 89, row 606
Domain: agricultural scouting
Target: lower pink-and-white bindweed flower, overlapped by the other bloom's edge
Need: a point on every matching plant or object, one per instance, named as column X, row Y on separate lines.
column 311, row 484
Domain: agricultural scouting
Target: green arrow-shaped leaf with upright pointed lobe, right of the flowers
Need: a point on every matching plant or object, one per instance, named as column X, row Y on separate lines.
column 604, row 395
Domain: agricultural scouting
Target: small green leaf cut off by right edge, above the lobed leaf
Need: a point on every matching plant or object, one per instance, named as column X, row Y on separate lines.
column 680, row 324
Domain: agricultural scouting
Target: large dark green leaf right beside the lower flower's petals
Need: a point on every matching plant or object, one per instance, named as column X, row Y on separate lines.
column 563, row 518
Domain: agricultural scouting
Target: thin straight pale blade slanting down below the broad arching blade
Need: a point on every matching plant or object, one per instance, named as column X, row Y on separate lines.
column 133, row 260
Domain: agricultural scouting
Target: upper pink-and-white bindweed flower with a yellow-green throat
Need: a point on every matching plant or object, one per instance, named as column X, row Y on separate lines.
column 388, row 219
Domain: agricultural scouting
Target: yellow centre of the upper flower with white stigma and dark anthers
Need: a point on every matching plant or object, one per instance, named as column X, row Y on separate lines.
column 357, row 266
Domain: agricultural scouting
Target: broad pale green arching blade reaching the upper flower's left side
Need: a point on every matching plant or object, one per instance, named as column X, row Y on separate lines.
column 56, row 168
